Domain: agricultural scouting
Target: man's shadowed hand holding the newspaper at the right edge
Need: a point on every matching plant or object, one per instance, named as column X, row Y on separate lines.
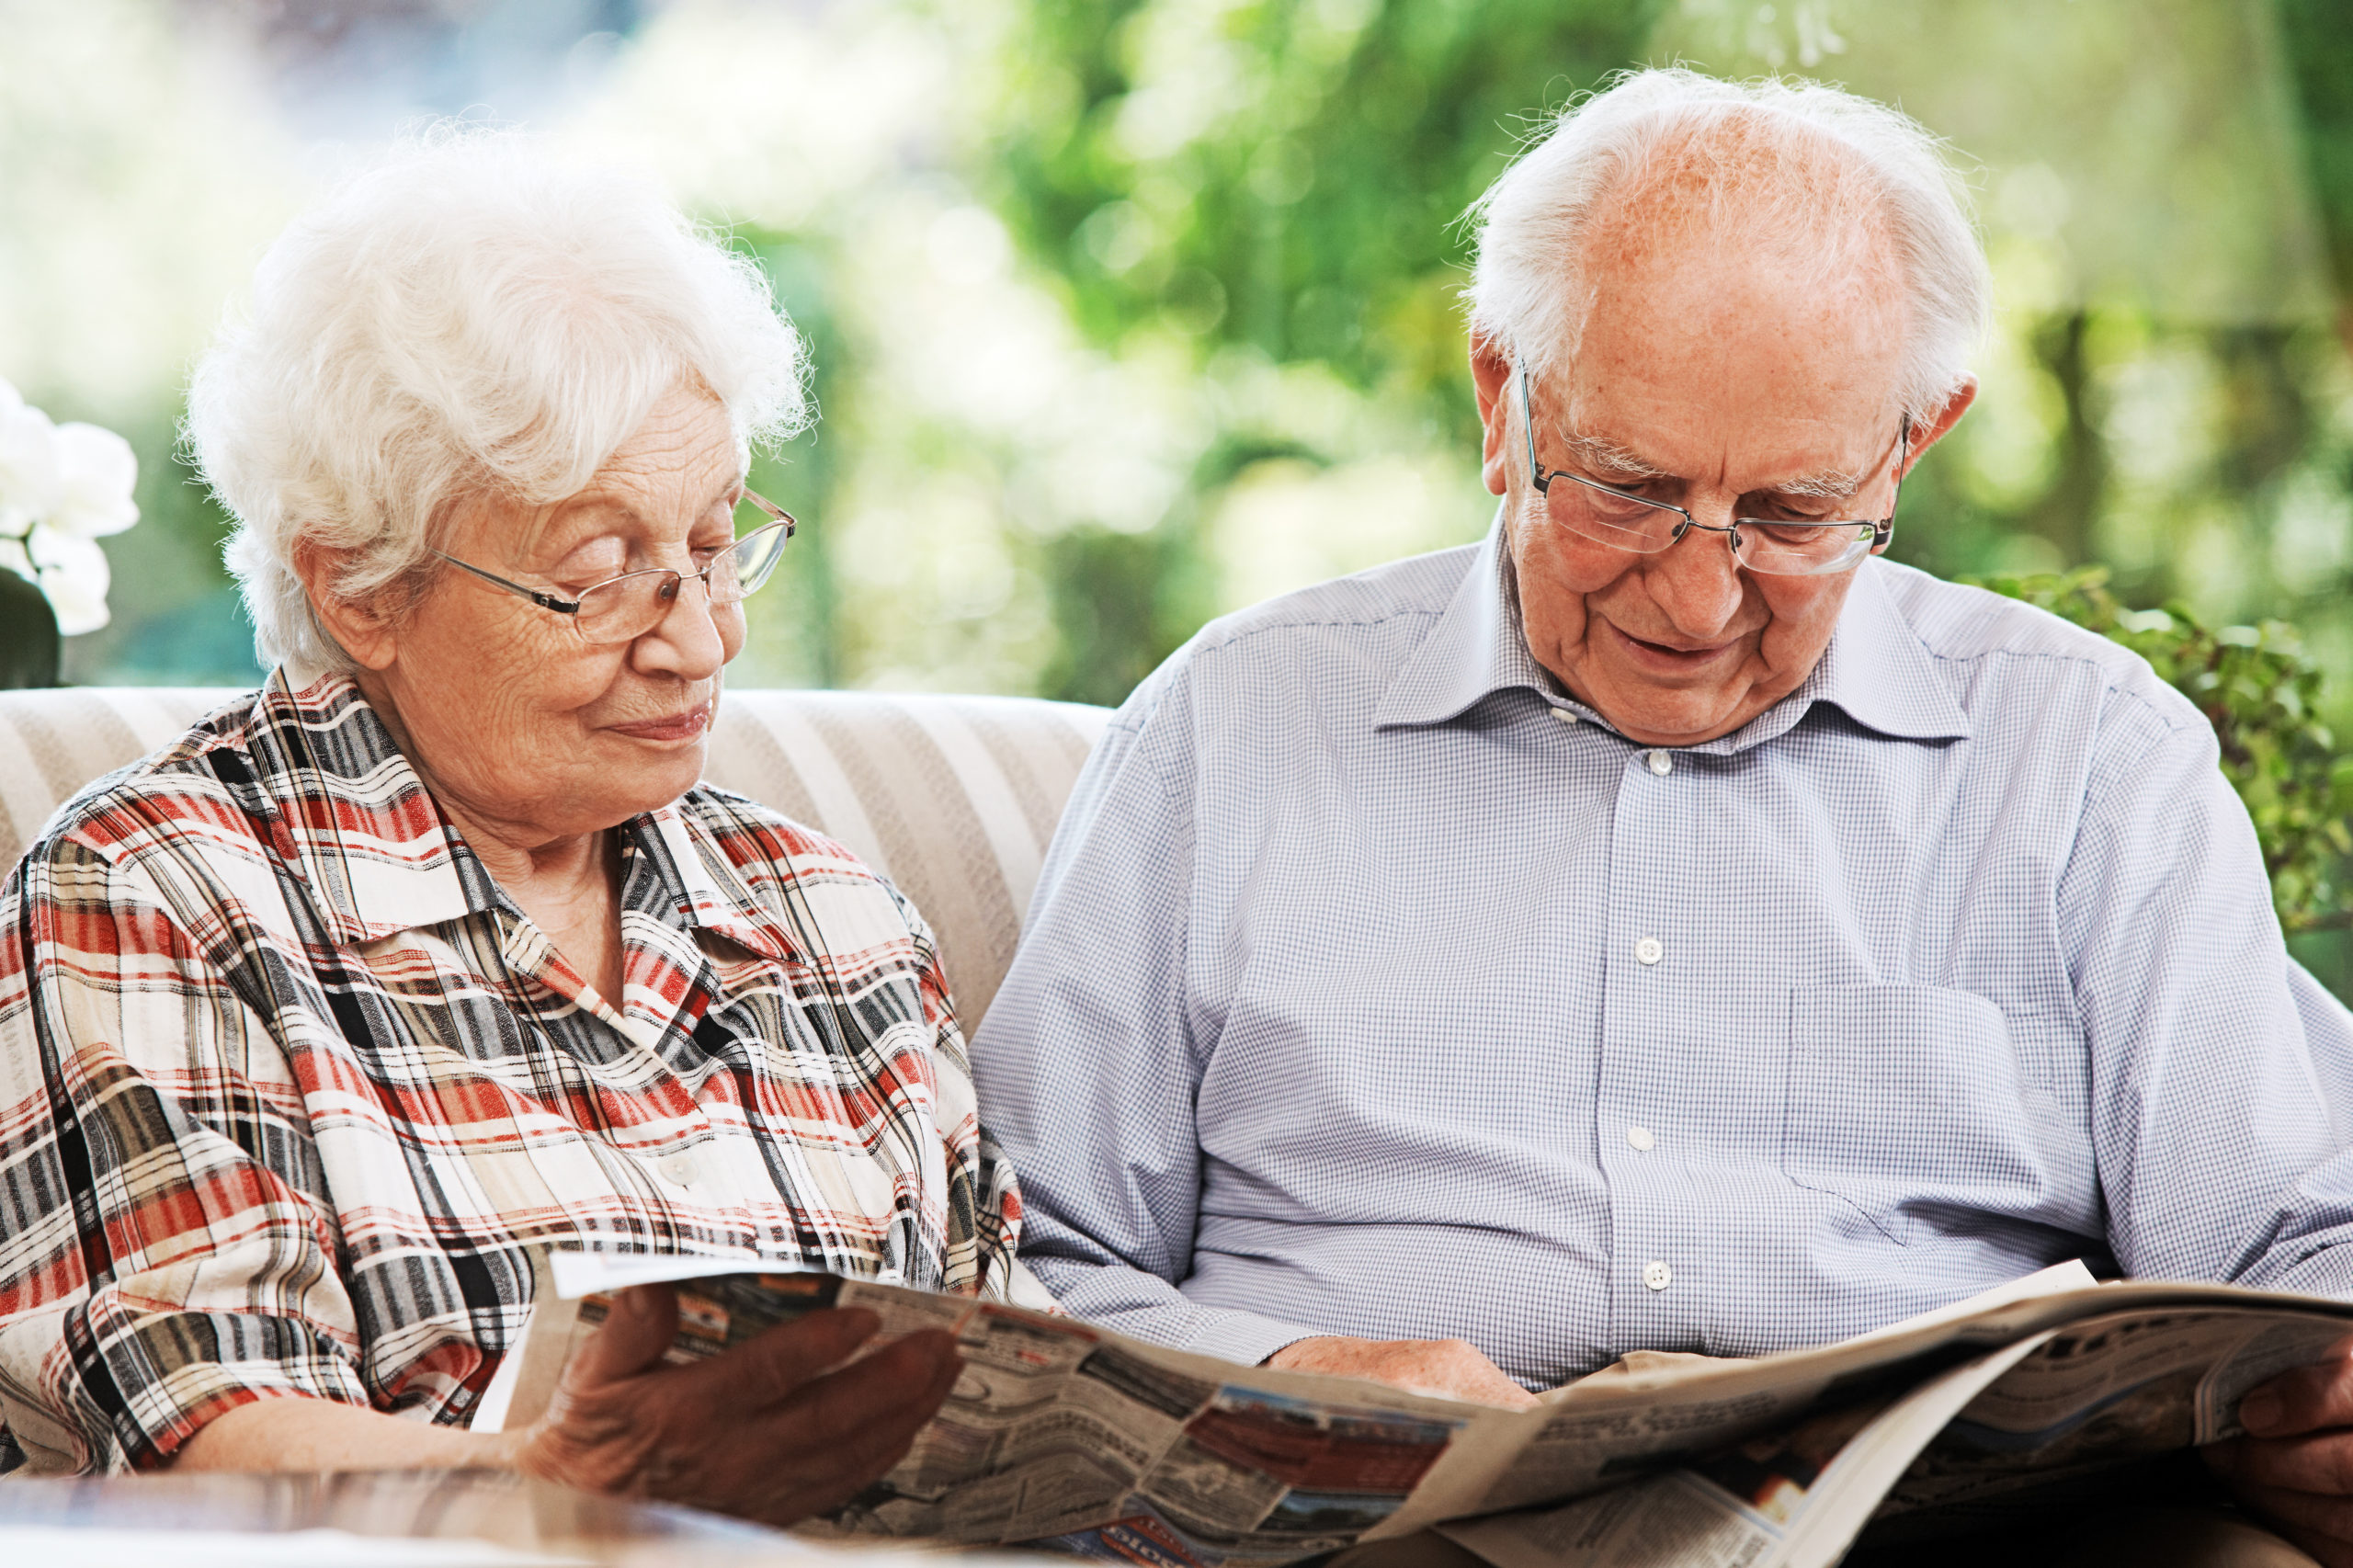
column 2295, row 1466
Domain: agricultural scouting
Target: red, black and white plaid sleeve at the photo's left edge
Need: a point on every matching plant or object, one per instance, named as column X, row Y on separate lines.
column 164, row 1256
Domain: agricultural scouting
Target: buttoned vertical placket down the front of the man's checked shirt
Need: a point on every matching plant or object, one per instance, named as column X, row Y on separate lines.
column 1655, row 1268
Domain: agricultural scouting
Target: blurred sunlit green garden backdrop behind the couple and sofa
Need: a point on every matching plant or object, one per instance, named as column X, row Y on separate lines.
column 1133, row 312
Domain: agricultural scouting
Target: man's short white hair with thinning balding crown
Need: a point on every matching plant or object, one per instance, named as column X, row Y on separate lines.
column 1806, row 173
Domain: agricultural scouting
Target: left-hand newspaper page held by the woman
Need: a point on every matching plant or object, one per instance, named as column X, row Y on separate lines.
column 1062, row 1435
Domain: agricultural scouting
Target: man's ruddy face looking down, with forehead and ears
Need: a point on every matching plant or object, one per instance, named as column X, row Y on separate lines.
column 1717, row 385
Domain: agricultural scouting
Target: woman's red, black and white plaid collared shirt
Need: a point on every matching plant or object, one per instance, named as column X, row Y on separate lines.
column 288, row 1084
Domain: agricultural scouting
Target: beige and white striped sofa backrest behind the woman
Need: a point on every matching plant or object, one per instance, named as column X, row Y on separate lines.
column 949, row 797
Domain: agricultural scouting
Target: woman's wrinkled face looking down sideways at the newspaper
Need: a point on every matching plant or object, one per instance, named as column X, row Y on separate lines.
column 509, row 715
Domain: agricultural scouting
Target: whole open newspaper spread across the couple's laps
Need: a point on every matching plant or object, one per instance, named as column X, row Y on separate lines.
column 1072, row 1437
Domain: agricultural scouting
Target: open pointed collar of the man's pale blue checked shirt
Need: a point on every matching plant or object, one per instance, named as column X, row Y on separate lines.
column 1877, row 670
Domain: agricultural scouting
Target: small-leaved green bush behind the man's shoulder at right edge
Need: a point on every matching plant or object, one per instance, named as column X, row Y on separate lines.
column 2262, row 696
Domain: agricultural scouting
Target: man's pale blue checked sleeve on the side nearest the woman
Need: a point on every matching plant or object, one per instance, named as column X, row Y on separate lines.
column 1091, row 1061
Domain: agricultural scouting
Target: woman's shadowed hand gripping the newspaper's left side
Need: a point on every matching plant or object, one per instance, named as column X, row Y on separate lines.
column 773, row 1430
